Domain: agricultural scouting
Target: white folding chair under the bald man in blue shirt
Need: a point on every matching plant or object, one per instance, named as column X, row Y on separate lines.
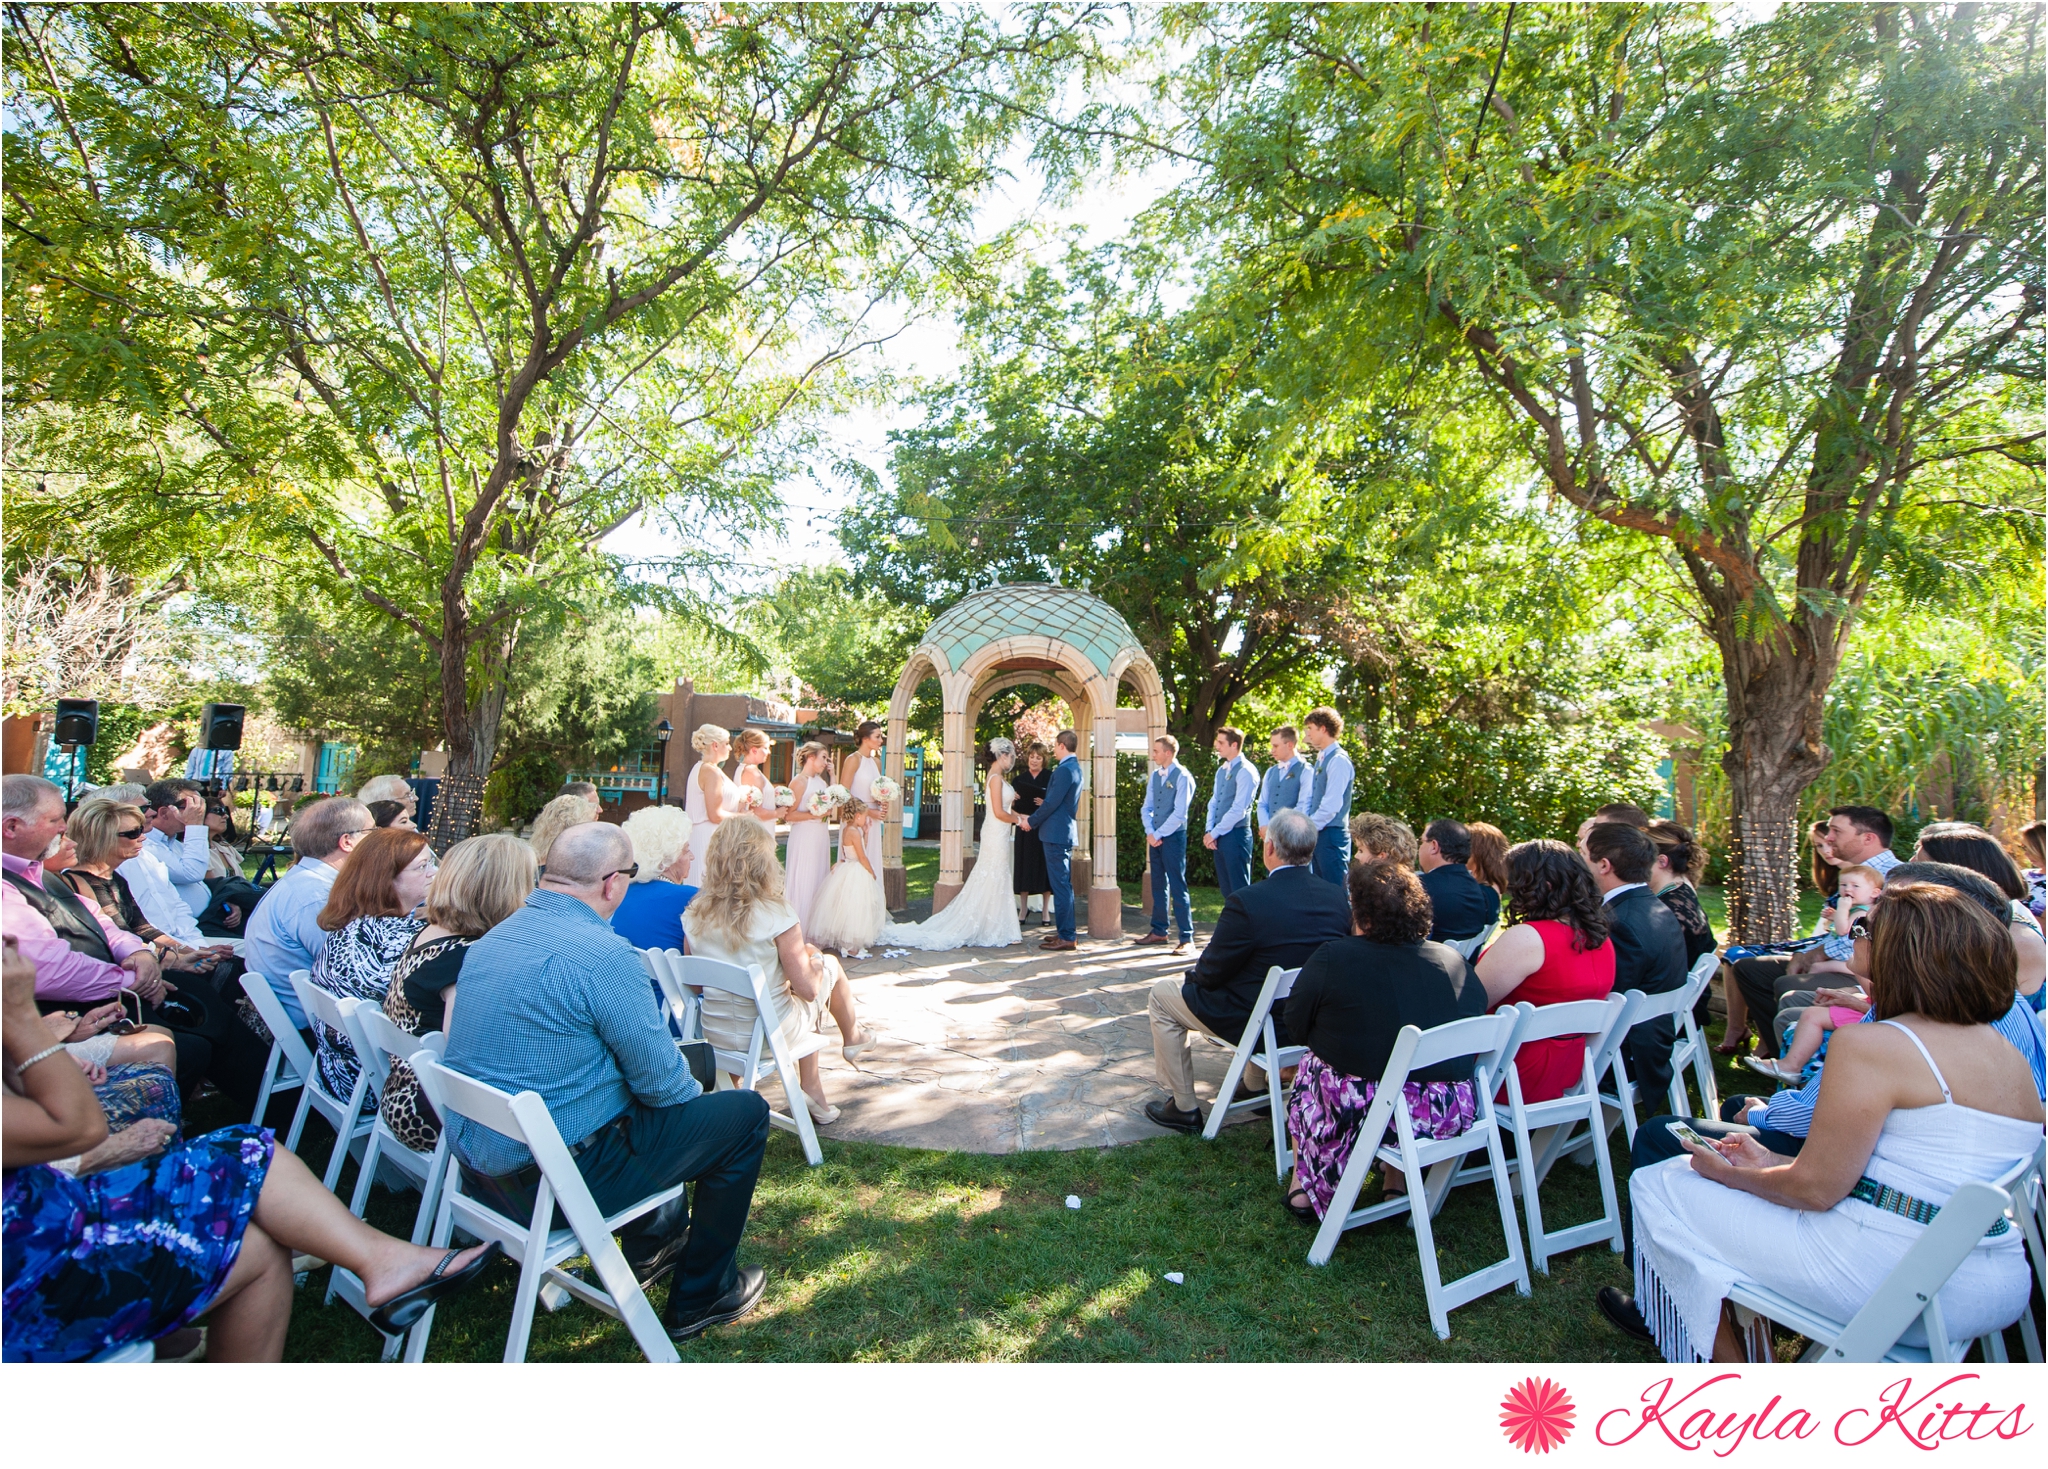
column 538, row 1249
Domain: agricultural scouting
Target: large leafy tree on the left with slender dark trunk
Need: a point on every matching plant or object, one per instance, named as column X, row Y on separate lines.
column 454, row 292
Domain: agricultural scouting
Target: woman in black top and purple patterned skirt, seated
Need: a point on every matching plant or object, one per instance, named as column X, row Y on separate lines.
column 1349, row 1007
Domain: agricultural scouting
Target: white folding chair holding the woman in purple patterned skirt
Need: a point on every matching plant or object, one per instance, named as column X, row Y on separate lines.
column 1486, row 1040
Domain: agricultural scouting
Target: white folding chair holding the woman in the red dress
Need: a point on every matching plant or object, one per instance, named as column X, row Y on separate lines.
column 1594, row 1023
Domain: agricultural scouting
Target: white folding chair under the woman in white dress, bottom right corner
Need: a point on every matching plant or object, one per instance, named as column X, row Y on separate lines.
column 1914, row 1290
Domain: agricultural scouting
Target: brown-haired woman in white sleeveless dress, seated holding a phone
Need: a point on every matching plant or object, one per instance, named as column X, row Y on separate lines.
column 1918, row 1105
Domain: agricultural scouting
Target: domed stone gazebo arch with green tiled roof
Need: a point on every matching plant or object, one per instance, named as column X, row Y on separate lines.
column 998, row 638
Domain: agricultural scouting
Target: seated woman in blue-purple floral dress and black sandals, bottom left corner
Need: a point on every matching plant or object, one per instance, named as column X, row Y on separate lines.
column 208, row 1230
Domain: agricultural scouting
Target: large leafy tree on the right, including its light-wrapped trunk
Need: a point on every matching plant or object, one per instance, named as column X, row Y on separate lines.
column 1766, row 292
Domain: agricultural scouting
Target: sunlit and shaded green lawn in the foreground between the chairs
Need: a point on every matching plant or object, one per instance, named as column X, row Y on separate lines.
column 904, row 1255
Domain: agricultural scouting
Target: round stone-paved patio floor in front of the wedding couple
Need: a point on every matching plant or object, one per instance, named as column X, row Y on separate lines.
column 1007, row 1050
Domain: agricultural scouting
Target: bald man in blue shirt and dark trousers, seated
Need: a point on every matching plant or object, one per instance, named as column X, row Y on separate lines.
column 556, row 1003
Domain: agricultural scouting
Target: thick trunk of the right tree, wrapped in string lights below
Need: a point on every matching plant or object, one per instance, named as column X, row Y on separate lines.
column 1777, row 700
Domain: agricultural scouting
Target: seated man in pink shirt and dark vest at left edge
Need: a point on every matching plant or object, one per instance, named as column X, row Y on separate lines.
column 108, row 960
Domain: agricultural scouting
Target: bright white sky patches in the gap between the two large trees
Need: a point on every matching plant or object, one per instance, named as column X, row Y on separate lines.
column 927, row 349
